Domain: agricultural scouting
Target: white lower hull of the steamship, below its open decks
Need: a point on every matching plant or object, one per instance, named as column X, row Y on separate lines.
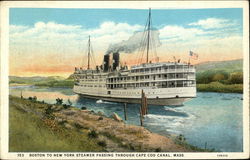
column 175, row 97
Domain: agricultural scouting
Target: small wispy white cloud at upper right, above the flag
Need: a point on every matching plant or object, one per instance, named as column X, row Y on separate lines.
column 211, row 23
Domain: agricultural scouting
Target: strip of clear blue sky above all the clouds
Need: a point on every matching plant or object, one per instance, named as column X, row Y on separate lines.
column 94, row 17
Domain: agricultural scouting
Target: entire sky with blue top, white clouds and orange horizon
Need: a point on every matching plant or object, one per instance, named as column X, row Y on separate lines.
column 53, row 41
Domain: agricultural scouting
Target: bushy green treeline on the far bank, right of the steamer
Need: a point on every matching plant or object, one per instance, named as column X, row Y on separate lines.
column 223, row 77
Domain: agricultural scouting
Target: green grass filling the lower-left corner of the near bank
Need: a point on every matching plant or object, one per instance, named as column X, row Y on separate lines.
column 28, row 132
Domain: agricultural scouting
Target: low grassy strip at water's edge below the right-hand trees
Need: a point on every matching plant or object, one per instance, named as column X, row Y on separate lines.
column 219, row 87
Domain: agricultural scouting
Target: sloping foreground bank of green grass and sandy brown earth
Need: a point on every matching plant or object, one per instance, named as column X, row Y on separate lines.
column 37, row 126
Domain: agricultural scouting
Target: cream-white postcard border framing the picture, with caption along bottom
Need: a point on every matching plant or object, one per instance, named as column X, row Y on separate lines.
column 120, row 4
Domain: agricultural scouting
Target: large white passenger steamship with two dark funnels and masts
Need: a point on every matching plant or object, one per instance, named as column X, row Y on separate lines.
column 164, row 83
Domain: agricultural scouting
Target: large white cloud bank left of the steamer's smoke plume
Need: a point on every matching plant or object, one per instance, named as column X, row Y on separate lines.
column 46, row 38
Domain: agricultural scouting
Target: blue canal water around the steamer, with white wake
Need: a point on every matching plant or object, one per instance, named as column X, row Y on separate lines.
column 212, row 119
